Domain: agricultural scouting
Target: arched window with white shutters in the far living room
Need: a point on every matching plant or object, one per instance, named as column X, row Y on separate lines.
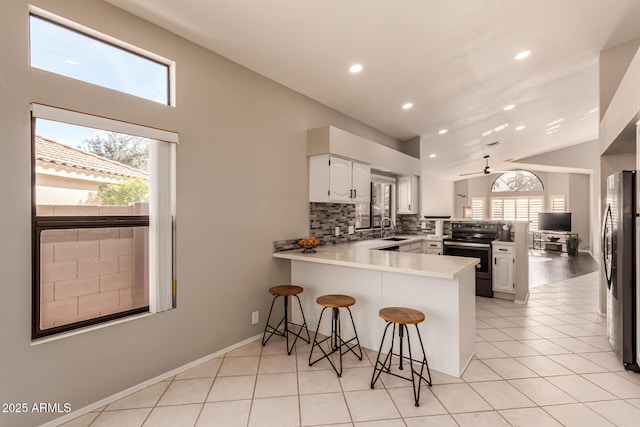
column 517, row 195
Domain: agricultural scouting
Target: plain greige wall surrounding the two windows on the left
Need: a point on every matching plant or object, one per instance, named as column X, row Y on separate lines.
column 241, row 184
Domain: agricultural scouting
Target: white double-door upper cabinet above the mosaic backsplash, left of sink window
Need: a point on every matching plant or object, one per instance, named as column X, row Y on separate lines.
column 335, row 179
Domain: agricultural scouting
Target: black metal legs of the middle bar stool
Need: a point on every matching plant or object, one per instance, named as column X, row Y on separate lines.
column 335, row 340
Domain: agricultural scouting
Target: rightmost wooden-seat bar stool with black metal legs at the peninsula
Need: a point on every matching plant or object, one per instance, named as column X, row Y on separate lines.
column 402, row 317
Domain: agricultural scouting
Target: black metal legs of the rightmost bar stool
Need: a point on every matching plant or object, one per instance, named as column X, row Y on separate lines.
column 385, row 365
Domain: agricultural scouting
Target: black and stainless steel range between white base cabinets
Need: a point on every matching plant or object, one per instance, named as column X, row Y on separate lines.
column 473, row 239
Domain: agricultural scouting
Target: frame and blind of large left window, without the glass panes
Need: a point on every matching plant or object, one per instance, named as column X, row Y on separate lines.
column 159, row 222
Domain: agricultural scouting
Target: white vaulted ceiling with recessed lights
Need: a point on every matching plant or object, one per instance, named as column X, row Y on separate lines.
column 453, row 59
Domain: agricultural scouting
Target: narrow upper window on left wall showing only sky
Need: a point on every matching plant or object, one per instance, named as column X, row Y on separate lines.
column 97, row 59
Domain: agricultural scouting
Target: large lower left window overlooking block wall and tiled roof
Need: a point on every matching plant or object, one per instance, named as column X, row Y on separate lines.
column 103, row 208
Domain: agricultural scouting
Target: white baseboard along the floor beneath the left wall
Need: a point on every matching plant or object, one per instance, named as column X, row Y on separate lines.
column 107, row 400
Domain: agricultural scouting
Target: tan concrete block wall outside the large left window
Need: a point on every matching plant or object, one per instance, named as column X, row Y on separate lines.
column 88, row 273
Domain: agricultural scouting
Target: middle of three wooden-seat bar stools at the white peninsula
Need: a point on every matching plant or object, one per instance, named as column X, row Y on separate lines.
column 335, row 302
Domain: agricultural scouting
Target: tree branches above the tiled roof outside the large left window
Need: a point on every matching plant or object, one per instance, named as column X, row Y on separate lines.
column 125, row 149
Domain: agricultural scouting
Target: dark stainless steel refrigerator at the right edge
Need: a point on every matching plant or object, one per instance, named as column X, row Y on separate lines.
column 621, row 259
